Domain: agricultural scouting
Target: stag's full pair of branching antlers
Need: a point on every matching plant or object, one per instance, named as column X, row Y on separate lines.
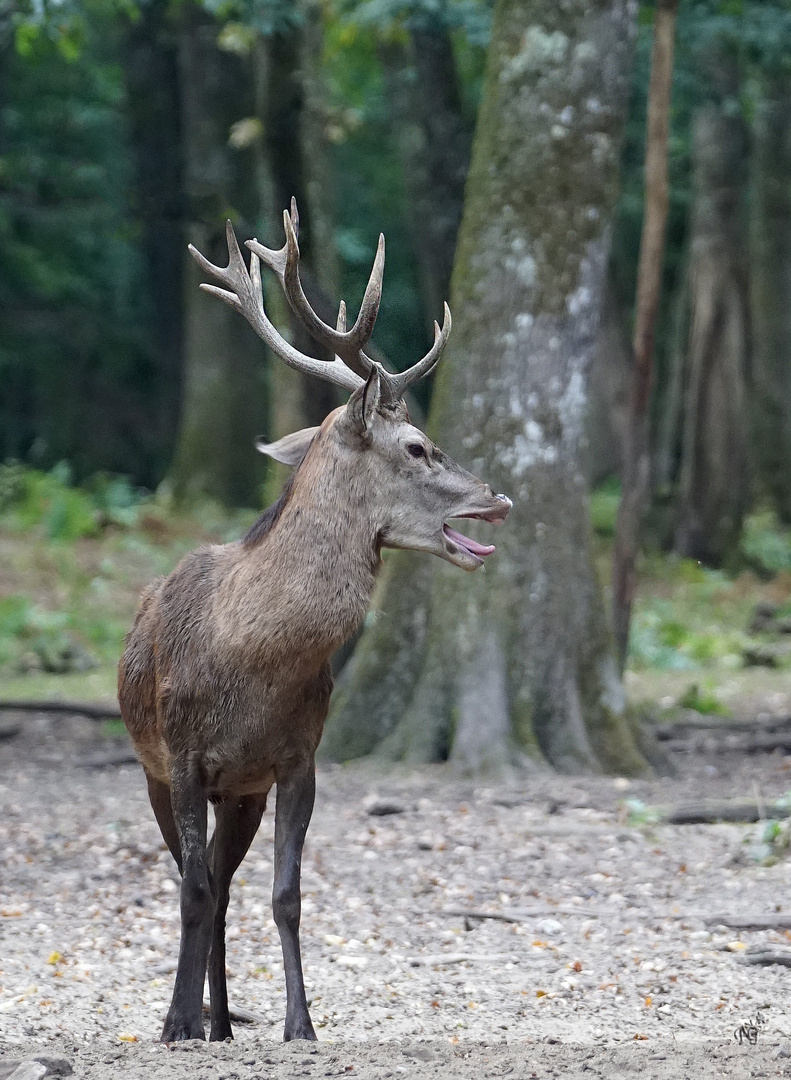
column 351, row 367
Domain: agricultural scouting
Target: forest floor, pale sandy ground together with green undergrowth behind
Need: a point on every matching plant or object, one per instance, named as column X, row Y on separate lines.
column 610, row 964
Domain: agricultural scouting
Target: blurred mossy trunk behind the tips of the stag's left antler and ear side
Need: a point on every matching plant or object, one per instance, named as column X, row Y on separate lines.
column 224, row 397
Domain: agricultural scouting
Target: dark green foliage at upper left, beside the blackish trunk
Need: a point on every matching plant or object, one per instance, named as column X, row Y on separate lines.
column 73, row 358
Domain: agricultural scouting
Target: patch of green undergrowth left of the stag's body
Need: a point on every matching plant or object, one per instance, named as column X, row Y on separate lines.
column 75, row 562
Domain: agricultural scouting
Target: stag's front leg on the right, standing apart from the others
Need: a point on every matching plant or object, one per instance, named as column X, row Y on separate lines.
column 292, row 816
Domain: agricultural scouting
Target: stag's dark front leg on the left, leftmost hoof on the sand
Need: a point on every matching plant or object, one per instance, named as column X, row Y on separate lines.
column 189, row 796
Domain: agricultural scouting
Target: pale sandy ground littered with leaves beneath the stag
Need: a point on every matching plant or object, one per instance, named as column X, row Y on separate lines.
column 613, row 968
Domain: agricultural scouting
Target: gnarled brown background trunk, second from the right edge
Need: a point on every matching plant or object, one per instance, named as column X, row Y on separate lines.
column 715, row 484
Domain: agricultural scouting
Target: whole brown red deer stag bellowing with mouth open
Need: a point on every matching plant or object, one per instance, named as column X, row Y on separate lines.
column 225, row 679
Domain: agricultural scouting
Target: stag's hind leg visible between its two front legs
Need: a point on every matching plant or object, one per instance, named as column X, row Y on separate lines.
column 238, row 820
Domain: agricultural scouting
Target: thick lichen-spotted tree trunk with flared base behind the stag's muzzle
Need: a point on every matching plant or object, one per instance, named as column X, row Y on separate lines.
column 518, row 659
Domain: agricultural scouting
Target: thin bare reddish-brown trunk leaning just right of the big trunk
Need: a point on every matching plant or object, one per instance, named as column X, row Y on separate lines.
column 637, row 472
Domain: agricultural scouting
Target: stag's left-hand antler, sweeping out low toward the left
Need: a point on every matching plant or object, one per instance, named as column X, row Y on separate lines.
column 247, row 296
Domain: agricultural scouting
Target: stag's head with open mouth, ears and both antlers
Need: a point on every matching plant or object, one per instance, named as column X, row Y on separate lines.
column 410, row 488
